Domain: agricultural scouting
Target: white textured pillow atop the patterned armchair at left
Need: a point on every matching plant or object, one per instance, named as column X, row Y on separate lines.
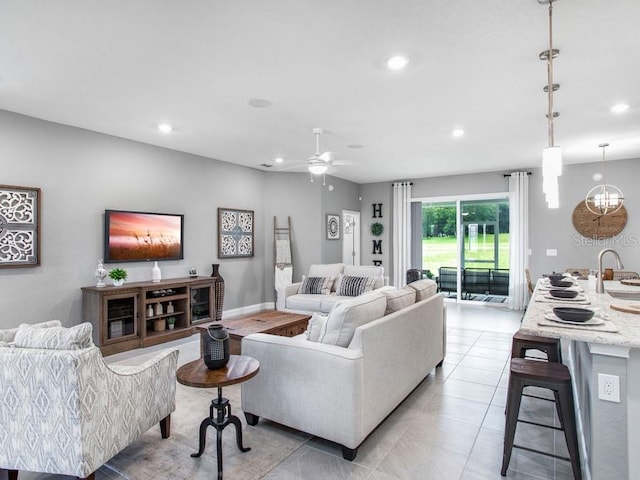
column 54, row 338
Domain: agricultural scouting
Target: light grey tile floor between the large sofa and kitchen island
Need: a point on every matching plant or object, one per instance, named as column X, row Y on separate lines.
column 450, row 427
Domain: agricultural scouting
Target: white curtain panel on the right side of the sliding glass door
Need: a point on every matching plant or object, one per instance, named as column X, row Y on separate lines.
column 518, row 239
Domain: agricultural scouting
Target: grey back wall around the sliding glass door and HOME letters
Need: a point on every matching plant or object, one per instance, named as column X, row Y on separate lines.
column 548, row 229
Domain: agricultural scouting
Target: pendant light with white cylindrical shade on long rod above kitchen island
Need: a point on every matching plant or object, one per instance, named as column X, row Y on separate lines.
column 552, row 155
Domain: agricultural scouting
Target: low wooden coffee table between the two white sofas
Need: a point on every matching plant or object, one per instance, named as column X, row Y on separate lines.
column 273, row 322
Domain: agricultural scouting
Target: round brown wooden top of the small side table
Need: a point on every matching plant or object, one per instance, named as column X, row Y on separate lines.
column 239, row 369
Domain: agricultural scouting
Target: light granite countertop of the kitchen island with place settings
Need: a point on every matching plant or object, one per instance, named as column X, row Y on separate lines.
column 616, row 328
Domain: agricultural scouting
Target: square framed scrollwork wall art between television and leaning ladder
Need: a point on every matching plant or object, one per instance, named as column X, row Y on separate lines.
column 235, row 233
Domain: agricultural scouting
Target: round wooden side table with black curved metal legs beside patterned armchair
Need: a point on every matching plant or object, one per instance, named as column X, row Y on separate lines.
column 196, row 374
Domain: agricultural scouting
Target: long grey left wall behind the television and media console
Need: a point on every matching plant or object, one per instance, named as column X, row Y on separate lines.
column 82, row 173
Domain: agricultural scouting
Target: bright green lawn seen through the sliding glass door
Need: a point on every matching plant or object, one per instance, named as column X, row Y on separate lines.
column 441, row 252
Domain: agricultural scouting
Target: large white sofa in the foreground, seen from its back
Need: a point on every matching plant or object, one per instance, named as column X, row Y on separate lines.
column 369, row 353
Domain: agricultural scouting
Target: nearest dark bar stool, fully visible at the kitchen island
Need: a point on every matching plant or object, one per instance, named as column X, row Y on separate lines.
column 552, row 376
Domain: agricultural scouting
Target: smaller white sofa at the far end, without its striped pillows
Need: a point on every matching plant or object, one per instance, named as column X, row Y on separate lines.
column 291, row 298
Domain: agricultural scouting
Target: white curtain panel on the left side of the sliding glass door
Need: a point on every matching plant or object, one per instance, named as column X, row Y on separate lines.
column 401, row 232
